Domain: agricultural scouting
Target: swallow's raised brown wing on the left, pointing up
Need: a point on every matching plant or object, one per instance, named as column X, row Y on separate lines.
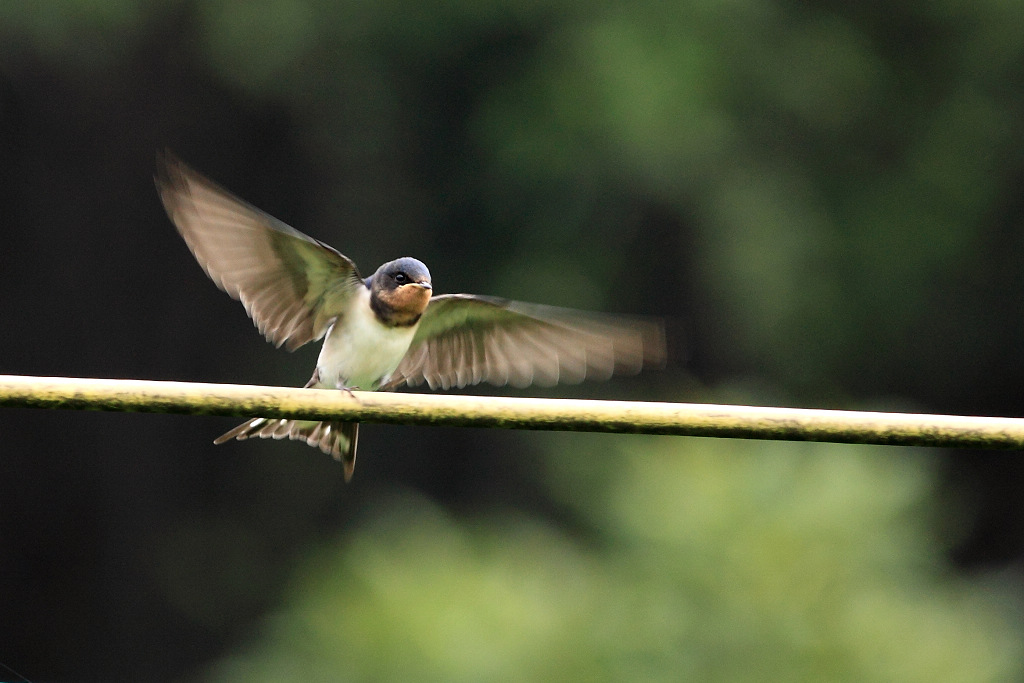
column 291, row 285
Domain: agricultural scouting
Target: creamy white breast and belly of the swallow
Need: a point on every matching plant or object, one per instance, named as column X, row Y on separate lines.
column 359, row 351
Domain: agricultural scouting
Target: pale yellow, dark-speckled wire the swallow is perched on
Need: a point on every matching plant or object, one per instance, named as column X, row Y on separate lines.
column 515, row 413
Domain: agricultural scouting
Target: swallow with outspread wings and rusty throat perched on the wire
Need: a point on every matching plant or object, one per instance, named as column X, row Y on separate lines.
column 389, row 329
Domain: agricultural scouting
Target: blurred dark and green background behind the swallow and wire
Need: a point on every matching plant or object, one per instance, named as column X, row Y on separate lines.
column 824, row 200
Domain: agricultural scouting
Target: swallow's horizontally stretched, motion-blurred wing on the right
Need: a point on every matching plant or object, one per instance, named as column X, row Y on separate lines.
column 464, row 339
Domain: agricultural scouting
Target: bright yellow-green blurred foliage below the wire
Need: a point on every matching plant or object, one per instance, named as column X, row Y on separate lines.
column 697, row 561
